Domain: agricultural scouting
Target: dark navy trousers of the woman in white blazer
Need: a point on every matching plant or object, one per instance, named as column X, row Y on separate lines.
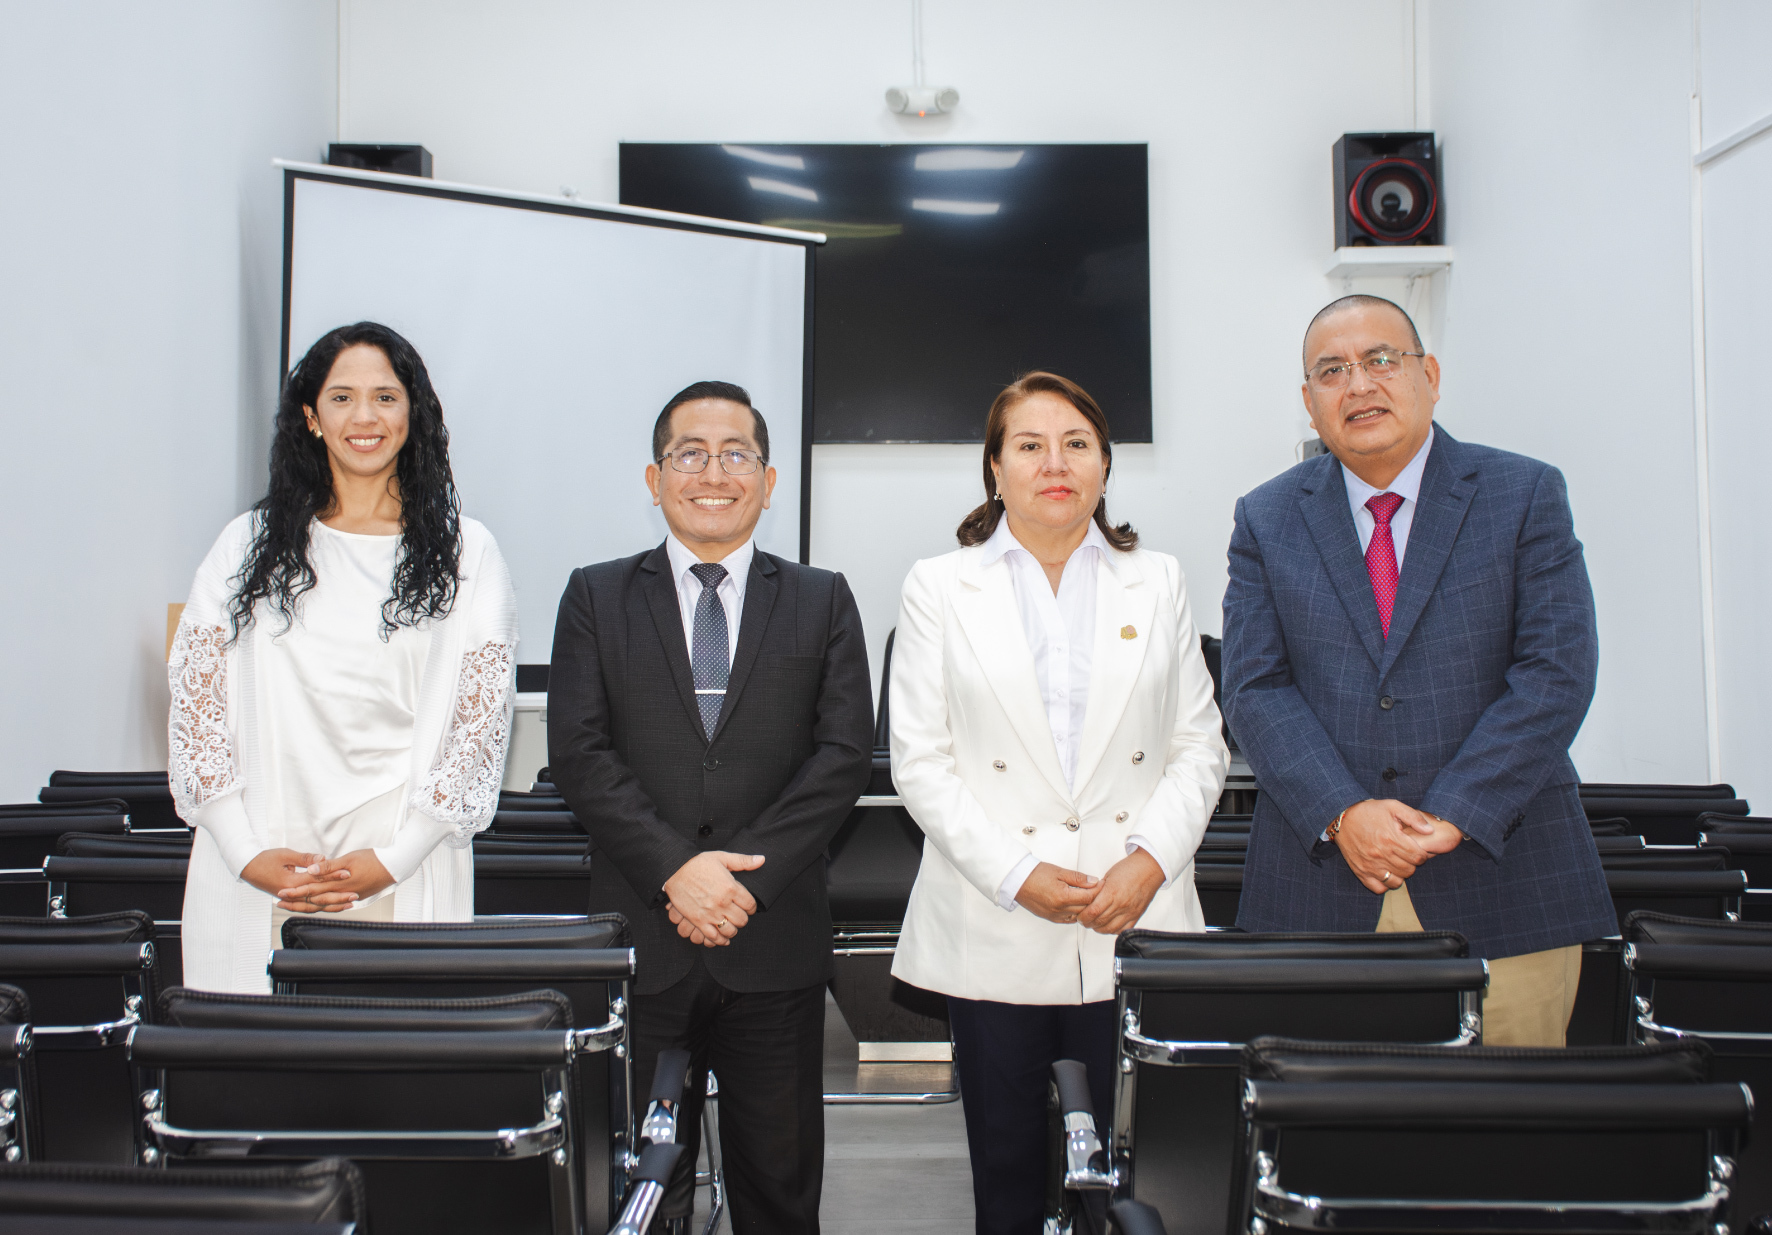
column 1006, row 1057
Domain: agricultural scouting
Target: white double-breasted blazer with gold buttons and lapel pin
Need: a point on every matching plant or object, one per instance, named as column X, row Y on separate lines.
column 974, row 759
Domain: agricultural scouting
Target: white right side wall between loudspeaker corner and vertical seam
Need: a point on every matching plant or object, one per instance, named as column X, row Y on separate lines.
column 1569, row 323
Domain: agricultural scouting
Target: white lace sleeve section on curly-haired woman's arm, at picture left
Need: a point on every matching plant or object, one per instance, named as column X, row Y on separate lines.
column 201, row 750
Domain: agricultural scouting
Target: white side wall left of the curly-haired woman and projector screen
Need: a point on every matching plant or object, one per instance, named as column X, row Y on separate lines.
column 141, row 261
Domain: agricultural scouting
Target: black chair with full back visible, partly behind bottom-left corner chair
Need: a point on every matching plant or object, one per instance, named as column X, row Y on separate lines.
column 458, row 1114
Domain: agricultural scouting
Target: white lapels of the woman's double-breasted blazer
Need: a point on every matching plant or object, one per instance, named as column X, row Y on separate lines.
column 991, row 619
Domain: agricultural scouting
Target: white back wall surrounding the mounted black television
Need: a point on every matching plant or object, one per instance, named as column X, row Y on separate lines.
column 1240, row 105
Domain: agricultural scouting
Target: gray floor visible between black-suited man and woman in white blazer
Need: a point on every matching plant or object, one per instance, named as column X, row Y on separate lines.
column 889, row 1170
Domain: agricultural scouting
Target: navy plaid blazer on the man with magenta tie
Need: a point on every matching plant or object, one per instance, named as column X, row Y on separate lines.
column 1465, row 711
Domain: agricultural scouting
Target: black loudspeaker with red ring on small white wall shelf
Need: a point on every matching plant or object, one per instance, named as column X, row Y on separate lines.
column 1387, row 190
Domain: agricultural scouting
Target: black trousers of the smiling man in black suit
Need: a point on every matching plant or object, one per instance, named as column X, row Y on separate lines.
column 768, row 1053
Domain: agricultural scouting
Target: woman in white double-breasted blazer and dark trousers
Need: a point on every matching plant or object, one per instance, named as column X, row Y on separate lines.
column 1053, row 733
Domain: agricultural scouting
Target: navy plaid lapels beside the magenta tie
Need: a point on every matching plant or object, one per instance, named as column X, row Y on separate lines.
column 1447, row 490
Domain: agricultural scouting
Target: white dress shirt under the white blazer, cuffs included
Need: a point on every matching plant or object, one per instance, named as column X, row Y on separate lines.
column 1062, row 637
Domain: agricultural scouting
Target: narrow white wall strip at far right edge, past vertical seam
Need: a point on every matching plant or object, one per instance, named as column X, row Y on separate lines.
column 1736, row 38
